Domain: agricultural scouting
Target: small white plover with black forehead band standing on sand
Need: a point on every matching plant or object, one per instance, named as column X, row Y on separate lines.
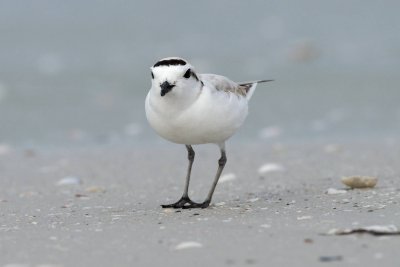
column 191, row 109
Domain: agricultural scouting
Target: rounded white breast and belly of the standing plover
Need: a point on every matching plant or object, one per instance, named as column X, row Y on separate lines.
column 213, row 118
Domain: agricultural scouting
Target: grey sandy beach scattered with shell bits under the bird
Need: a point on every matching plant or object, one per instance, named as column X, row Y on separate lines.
column 101, row 206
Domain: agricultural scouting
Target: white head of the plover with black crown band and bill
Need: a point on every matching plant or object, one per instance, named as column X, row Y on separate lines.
column 173, row 76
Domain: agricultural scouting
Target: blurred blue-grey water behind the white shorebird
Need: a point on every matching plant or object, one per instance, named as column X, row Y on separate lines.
column 77, row 72
